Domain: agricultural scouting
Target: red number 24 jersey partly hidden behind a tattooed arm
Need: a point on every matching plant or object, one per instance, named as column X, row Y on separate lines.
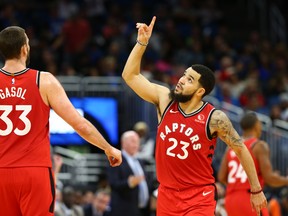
column 237, row 178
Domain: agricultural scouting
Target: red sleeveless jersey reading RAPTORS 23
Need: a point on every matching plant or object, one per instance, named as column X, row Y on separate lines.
column 185, row 148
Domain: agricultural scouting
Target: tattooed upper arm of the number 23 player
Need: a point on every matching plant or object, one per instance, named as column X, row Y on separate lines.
column 220, row 123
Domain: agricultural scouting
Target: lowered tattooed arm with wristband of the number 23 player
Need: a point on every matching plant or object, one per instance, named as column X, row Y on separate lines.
column 221, row 125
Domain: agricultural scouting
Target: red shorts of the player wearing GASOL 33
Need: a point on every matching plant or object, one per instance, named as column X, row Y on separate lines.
column 27, row 191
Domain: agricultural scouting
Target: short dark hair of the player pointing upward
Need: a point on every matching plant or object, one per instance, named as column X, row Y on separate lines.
column 207, row 79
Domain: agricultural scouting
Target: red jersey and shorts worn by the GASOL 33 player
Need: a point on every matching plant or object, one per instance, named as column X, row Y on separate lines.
column 24, row 146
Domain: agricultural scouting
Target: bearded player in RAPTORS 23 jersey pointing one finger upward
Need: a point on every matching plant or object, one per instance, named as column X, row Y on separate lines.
column 186, row 137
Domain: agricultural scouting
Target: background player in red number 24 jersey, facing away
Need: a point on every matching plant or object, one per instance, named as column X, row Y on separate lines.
column 231, row 173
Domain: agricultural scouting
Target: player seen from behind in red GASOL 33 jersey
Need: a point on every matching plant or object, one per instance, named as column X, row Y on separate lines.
column 26, row 96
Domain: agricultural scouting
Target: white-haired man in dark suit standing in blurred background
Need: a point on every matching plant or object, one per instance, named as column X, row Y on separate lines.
column 128, row 181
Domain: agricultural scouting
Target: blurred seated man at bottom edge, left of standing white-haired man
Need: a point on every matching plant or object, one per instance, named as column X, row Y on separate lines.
column 100, row 203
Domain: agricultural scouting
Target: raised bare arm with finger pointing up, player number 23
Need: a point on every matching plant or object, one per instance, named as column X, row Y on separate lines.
column 131, row 74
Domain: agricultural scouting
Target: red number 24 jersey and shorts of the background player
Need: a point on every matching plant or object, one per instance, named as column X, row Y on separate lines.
column 237, row 199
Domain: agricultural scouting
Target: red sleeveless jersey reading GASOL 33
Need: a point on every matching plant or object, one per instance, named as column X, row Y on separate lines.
column 24, row 121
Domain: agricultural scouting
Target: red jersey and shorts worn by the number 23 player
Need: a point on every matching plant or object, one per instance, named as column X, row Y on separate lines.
column 184, row 153
